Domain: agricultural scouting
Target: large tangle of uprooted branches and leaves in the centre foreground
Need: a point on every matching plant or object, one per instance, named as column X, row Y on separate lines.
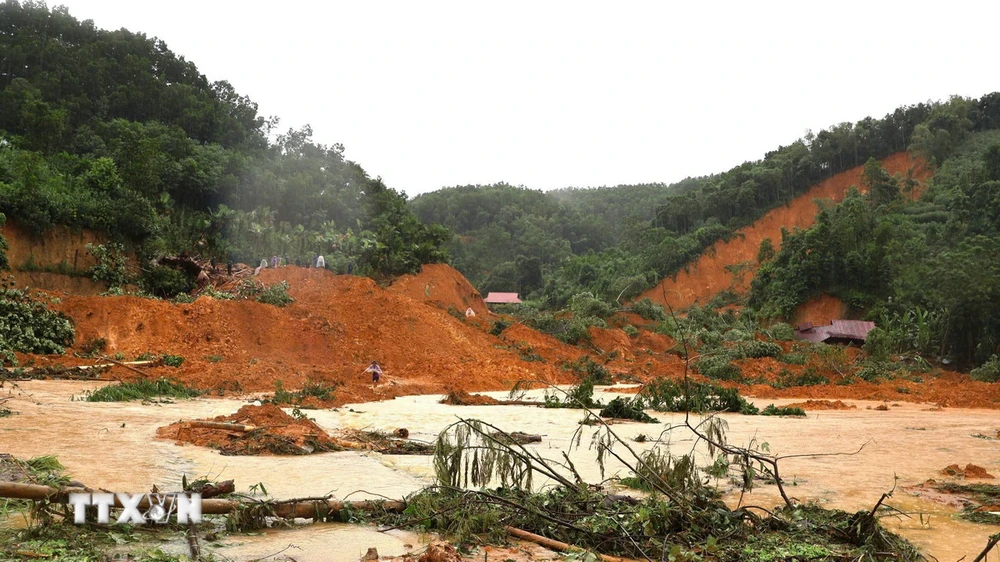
column 485, row 488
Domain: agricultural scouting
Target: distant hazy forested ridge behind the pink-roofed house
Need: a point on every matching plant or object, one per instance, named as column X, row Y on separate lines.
column 616, row 242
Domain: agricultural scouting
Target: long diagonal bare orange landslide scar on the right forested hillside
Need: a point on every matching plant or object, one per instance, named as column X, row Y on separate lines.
column 707, row 276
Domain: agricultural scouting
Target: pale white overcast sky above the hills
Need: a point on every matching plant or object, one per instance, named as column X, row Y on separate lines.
column 556, row 94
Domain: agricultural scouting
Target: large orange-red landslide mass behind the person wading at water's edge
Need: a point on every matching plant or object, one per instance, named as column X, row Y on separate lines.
column 336, row 326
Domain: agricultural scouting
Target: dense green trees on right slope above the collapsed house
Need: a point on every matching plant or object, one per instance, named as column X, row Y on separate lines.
column 933, row 260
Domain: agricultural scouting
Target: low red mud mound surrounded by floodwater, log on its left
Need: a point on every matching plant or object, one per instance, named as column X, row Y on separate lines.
column 273, row 432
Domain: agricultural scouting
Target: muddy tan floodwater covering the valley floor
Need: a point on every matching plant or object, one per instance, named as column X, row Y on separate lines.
column 112, row 446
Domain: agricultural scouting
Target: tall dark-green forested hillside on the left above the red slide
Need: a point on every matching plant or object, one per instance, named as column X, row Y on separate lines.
column 111, row 130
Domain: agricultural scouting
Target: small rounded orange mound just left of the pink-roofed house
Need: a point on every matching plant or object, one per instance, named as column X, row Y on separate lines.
column 442, row 286
